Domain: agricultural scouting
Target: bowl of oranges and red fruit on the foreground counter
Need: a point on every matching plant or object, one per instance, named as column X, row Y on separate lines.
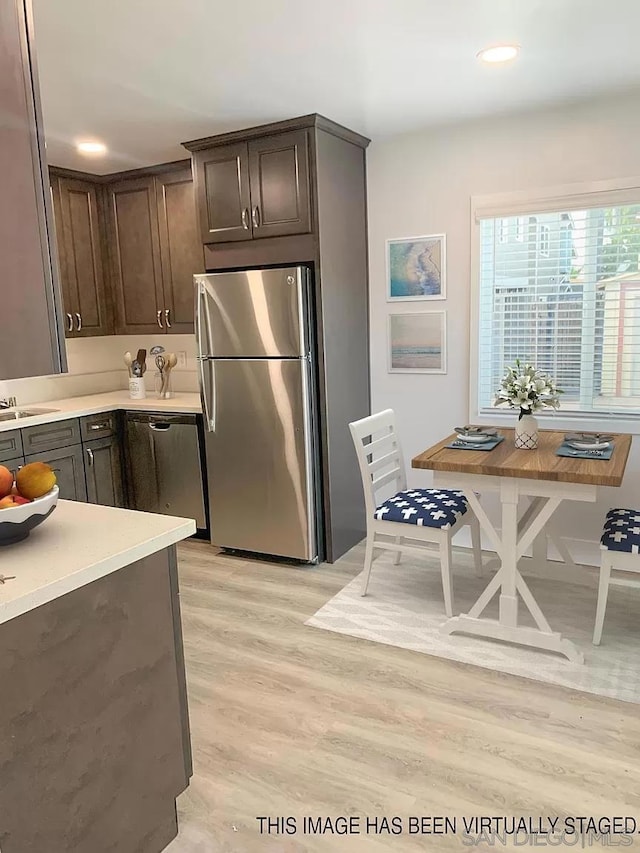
column 26, row 500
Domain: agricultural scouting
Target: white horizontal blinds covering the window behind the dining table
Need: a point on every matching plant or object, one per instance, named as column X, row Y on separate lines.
column 563, row 292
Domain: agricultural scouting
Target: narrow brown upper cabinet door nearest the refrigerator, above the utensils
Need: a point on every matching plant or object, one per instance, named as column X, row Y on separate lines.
column 181, row 252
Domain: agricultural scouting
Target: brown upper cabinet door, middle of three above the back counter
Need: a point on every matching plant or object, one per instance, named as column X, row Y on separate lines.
column 134, row 252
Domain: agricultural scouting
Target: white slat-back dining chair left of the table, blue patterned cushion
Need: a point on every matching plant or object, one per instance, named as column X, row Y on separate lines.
column 426, row 516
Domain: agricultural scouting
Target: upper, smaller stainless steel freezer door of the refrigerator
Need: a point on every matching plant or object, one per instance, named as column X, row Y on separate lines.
column 251, row 314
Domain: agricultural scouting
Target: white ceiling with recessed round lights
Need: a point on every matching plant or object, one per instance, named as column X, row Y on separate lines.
column 145, row 75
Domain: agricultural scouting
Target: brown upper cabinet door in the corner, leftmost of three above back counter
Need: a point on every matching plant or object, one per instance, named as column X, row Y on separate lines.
column 80, row 248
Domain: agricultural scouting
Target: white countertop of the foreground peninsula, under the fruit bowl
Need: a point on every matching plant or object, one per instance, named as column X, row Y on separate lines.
column 76, row 545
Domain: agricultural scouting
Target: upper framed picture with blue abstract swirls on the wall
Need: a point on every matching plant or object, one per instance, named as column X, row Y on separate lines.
column 416, row 268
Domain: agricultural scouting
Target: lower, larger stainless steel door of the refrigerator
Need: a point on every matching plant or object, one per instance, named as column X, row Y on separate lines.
column 259, row 457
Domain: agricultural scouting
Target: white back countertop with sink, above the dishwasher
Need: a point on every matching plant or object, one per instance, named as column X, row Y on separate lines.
column 76, row 407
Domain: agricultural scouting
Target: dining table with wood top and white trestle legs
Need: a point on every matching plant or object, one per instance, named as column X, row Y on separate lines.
column 531, row 484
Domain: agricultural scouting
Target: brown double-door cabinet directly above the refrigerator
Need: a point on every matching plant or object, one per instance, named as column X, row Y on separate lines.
column 254, row 189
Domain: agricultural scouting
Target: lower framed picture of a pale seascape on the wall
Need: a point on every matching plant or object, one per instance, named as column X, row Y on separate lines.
column 417, row 342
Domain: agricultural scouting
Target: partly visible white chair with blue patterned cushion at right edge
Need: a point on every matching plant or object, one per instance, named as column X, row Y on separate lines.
column 620, row 546
